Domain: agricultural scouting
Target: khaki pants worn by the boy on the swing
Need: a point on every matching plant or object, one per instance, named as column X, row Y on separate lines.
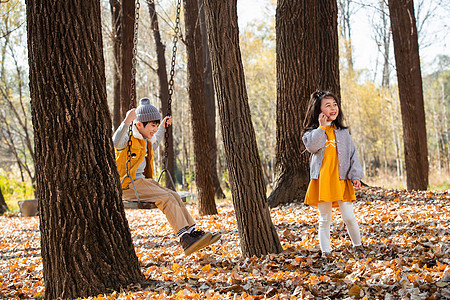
column 168, row 201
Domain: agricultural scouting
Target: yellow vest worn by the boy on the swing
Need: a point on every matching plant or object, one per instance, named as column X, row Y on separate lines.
column 137, row 149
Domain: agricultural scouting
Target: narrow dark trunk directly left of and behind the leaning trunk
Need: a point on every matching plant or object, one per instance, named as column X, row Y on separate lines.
column 203, row 178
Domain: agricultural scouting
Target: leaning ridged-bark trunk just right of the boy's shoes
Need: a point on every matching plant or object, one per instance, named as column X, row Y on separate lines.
column 256, row 230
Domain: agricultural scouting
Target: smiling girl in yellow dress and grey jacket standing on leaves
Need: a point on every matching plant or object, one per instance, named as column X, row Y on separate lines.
column 334, row 166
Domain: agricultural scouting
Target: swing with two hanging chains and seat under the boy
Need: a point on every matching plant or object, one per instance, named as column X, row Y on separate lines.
column 138, row 204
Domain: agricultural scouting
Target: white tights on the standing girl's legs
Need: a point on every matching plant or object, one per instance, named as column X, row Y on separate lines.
column 325, row 218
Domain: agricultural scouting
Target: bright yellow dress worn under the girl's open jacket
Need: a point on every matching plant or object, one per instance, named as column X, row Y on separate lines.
column 328, row 188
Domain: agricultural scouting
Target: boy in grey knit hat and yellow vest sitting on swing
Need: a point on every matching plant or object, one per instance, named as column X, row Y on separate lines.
column 147, row 134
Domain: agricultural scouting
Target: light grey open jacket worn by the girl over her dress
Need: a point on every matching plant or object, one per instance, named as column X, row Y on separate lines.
column 349, row 166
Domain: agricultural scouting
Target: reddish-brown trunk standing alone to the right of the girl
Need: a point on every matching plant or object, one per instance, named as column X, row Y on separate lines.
column 406, row 50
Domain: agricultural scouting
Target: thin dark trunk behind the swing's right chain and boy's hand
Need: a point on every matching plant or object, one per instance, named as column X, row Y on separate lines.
column 163, row 88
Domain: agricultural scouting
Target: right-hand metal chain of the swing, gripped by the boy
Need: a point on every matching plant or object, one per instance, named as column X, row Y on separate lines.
column 171, row 80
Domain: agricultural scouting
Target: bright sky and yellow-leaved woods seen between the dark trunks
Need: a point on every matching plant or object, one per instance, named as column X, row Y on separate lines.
column 368, row 90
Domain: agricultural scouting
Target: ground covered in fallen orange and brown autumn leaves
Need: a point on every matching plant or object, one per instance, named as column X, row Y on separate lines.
column 406, row 234
